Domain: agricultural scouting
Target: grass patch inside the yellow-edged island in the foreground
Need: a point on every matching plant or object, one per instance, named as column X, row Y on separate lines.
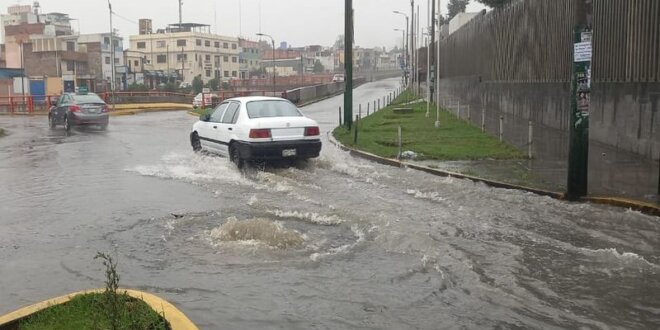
column 90, row 311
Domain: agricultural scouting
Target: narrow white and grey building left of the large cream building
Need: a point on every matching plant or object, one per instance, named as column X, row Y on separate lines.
column 100, row 57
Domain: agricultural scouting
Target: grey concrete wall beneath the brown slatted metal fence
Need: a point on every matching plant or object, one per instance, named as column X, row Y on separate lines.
column 623, row 115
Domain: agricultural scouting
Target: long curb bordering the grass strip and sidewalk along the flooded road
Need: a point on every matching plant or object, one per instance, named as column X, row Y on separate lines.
column 643, row 207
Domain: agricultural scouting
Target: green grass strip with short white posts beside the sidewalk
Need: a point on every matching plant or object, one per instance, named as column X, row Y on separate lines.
column 456, row 139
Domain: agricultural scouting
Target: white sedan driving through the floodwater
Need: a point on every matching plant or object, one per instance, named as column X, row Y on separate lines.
column 257, row 128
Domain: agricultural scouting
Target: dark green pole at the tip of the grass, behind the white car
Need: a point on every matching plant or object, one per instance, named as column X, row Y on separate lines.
column 348, row 63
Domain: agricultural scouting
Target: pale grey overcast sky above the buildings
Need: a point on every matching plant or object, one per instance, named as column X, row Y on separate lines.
column 299, row 22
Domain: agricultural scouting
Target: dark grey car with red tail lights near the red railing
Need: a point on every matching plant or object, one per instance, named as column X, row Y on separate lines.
column 78, row 109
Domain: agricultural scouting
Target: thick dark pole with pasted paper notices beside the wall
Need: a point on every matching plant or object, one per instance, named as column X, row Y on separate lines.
column 578, row 156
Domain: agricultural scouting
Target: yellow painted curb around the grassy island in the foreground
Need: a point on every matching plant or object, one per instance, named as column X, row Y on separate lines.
column 176, row 319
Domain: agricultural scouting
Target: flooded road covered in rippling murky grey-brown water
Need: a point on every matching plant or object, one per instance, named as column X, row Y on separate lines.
column 338, row 243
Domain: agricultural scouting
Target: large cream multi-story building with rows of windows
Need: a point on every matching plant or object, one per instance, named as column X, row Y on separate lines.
column 182, row 52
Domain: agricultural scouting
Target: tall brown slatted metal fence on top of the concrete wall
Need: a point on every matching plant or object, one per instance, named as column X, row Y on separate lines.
column 532, row 40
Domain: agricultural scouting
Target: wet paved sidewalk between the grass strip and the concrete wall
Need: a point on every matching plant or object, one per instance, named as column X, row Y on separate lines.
column 612, row 172
